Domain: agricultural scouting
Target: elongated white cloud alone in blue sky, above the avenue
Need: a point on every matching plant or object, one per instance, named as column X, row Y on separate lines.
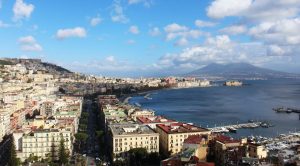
column 72, row 32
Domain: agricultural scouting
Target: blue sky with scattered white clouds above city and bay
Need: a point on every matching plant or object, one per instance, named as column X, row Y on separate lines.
column 152, row 37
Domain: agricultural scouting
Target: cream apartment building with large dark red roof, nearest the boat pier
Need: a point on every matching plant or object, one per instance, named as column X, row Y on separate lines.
column 173, row 135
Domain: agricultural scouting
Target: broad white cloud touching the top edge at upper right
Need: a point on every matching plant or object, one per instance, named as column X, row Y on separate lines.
column 254, row 10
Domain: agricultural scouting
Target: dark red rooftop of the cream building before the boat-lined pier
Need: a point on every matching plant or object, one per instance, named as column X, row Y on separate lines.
column 180, row 128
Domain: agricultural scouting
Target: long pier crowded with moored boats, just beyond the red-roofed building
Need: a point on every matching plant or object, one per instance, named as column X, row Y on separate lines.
column 235, row 127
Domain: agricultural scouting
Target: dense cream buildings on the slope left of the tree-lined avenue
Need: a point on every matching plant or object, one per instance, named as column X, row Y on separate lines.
column 35, row 113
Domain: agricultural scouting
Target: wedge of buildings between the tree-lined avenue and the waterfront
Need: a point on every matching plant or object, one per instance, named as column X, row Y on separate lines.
column 128, row 127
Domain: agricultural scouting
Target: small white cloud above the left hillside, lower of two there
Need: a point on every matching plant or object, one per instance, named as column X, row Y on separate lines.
column 29, row 43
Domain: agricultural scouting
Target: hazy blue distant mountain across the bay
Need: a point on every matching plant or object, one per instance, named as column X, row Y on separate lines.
column 238, row 71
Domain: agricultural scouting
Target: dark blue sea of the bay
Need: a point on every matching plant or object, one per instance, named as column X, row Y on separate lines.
column 221, row 105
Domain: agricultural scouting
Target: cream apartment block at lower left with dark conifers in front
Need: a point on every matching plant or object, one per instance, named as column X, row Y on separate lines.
column 43, row 143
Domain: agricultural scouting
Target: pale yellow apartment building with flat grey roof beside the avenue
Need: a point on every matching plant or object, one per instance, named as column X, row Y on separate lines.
column 122, row 138
